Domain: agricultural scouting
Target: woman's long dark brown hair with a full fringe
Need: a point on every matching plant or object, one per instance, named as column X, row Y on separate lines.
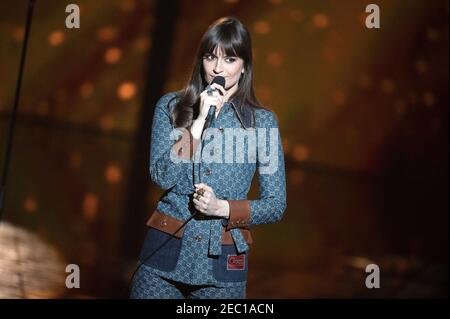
column 233, row 38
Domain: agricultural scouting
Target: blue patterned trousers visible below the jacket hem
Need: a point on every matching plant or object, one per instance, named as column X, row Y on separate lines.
column 148, row 285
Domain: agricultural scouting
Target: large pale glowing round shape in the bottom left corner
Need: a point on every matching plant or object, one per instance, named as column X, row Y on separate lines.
column 30, row 268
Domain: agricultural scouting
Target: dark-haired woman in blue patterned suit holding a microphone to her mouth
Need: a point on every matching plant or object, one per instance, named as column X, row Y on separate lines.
column 207, row 143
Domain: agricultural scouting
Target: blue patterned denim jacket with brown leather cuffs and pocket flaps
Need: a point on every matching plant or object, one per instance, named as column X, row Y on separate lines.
column 212, row 250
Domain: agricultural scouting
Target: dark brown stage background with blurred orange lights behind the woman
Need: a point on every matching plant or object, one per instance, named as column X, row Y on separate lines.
column 364, row 122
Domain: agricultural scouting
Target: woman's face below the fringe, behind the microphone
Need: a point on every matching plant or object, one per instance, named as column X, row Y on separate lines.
column 218, row 63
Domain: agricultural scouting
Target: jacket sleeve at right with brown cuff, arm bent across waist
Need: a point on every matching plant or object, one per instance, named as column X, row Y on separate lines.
column 271, row 204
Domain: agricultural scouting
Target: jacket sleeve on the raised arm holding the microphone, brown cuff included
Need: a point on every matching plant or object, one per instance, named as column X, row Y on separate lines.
column 170, row 148
